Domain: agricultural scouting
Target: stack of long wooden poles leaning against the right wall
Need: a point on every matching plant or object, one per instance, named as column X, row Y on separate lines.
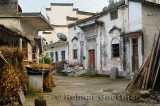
column 147, row 76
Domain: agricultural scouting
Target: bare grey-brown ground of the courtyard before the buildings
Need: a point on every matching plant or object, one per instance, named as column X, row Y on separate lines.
column 83, row 91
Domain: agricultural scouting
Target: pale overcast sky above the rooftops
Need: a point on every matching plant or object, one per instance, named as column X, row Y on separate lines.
column 84, row 5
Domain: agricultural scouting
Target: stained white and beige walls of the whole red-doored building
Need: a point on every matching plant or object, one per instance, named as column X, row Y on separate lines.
column 131, row 18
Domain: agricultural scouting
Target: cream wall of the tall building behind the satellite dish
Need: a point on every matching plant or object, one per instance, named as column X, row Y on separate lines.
column 57, row 16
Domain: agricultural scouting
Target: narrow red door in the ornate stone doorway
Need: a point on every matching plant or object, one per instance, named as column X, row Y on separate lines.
column 92, row 60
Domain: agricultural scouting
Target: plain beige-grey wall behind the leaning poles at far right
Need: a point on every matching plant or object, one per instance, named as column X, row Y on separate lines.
column 151, row 26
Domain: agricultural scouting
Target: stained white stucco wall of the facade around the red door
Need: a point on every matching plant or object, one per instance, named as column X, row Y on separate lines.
column 103, row 39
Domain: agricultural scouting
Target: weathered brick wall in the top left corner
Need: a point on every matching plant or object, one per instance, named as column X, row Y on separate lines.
column 8, row 7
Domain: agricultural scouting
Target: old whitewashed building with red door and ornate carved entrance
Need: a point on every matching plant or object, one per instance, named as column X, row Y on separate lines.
column 114, row 38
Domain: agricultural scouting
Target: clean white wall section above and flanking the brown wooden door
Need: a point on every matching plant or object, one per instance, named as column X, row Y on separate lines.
column 135, row 24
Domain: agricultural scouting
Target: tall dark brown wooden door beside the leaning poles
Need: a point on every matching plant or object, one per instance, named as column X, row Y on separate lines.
column 135, row 55
